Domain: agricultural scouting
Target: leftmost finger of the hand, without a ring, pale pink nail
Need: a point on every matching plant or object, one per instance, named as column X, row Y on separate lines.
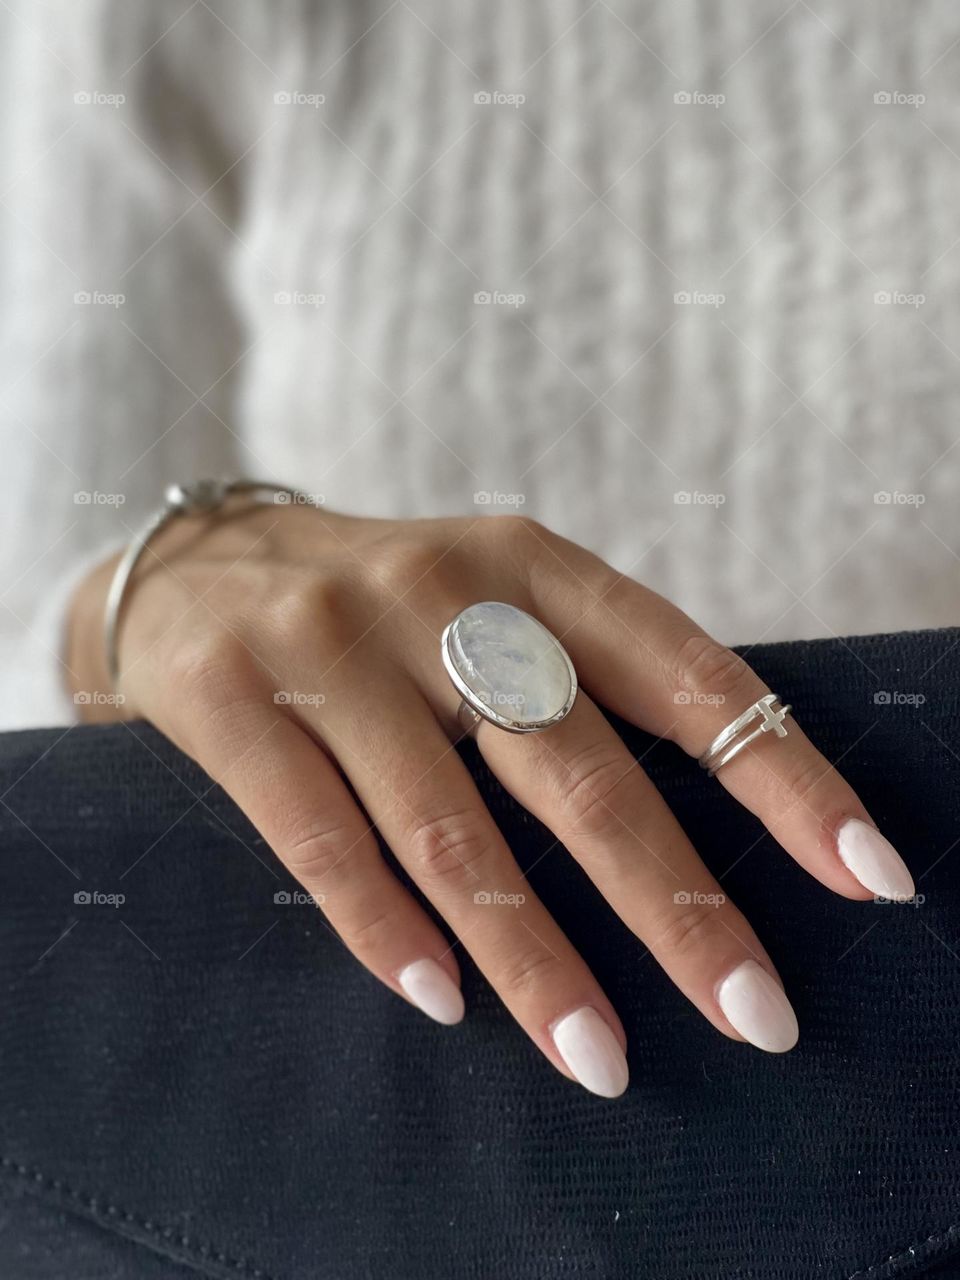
column 298, row 801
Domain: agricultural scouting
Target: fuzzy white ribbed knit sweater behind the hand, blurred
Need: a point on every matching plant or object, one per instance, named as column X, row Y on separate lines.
column 200, row 199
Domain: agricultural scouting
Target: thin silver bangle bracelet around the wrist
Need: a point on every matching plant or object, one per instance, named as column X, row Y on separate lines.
column 202, row 499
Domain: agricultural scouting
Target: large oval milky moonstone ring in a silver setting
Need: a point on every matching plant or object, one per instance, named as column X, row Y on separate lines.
column 508, row 669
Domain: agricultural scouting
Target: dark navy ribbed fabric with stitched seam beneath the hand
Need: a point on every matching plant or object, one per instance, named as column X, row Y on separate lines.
column 207, row 1080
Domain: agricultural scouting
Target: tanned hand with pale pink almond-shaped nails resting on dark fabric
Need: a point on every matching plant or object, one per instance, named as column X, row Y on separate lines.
column 287, row 648
